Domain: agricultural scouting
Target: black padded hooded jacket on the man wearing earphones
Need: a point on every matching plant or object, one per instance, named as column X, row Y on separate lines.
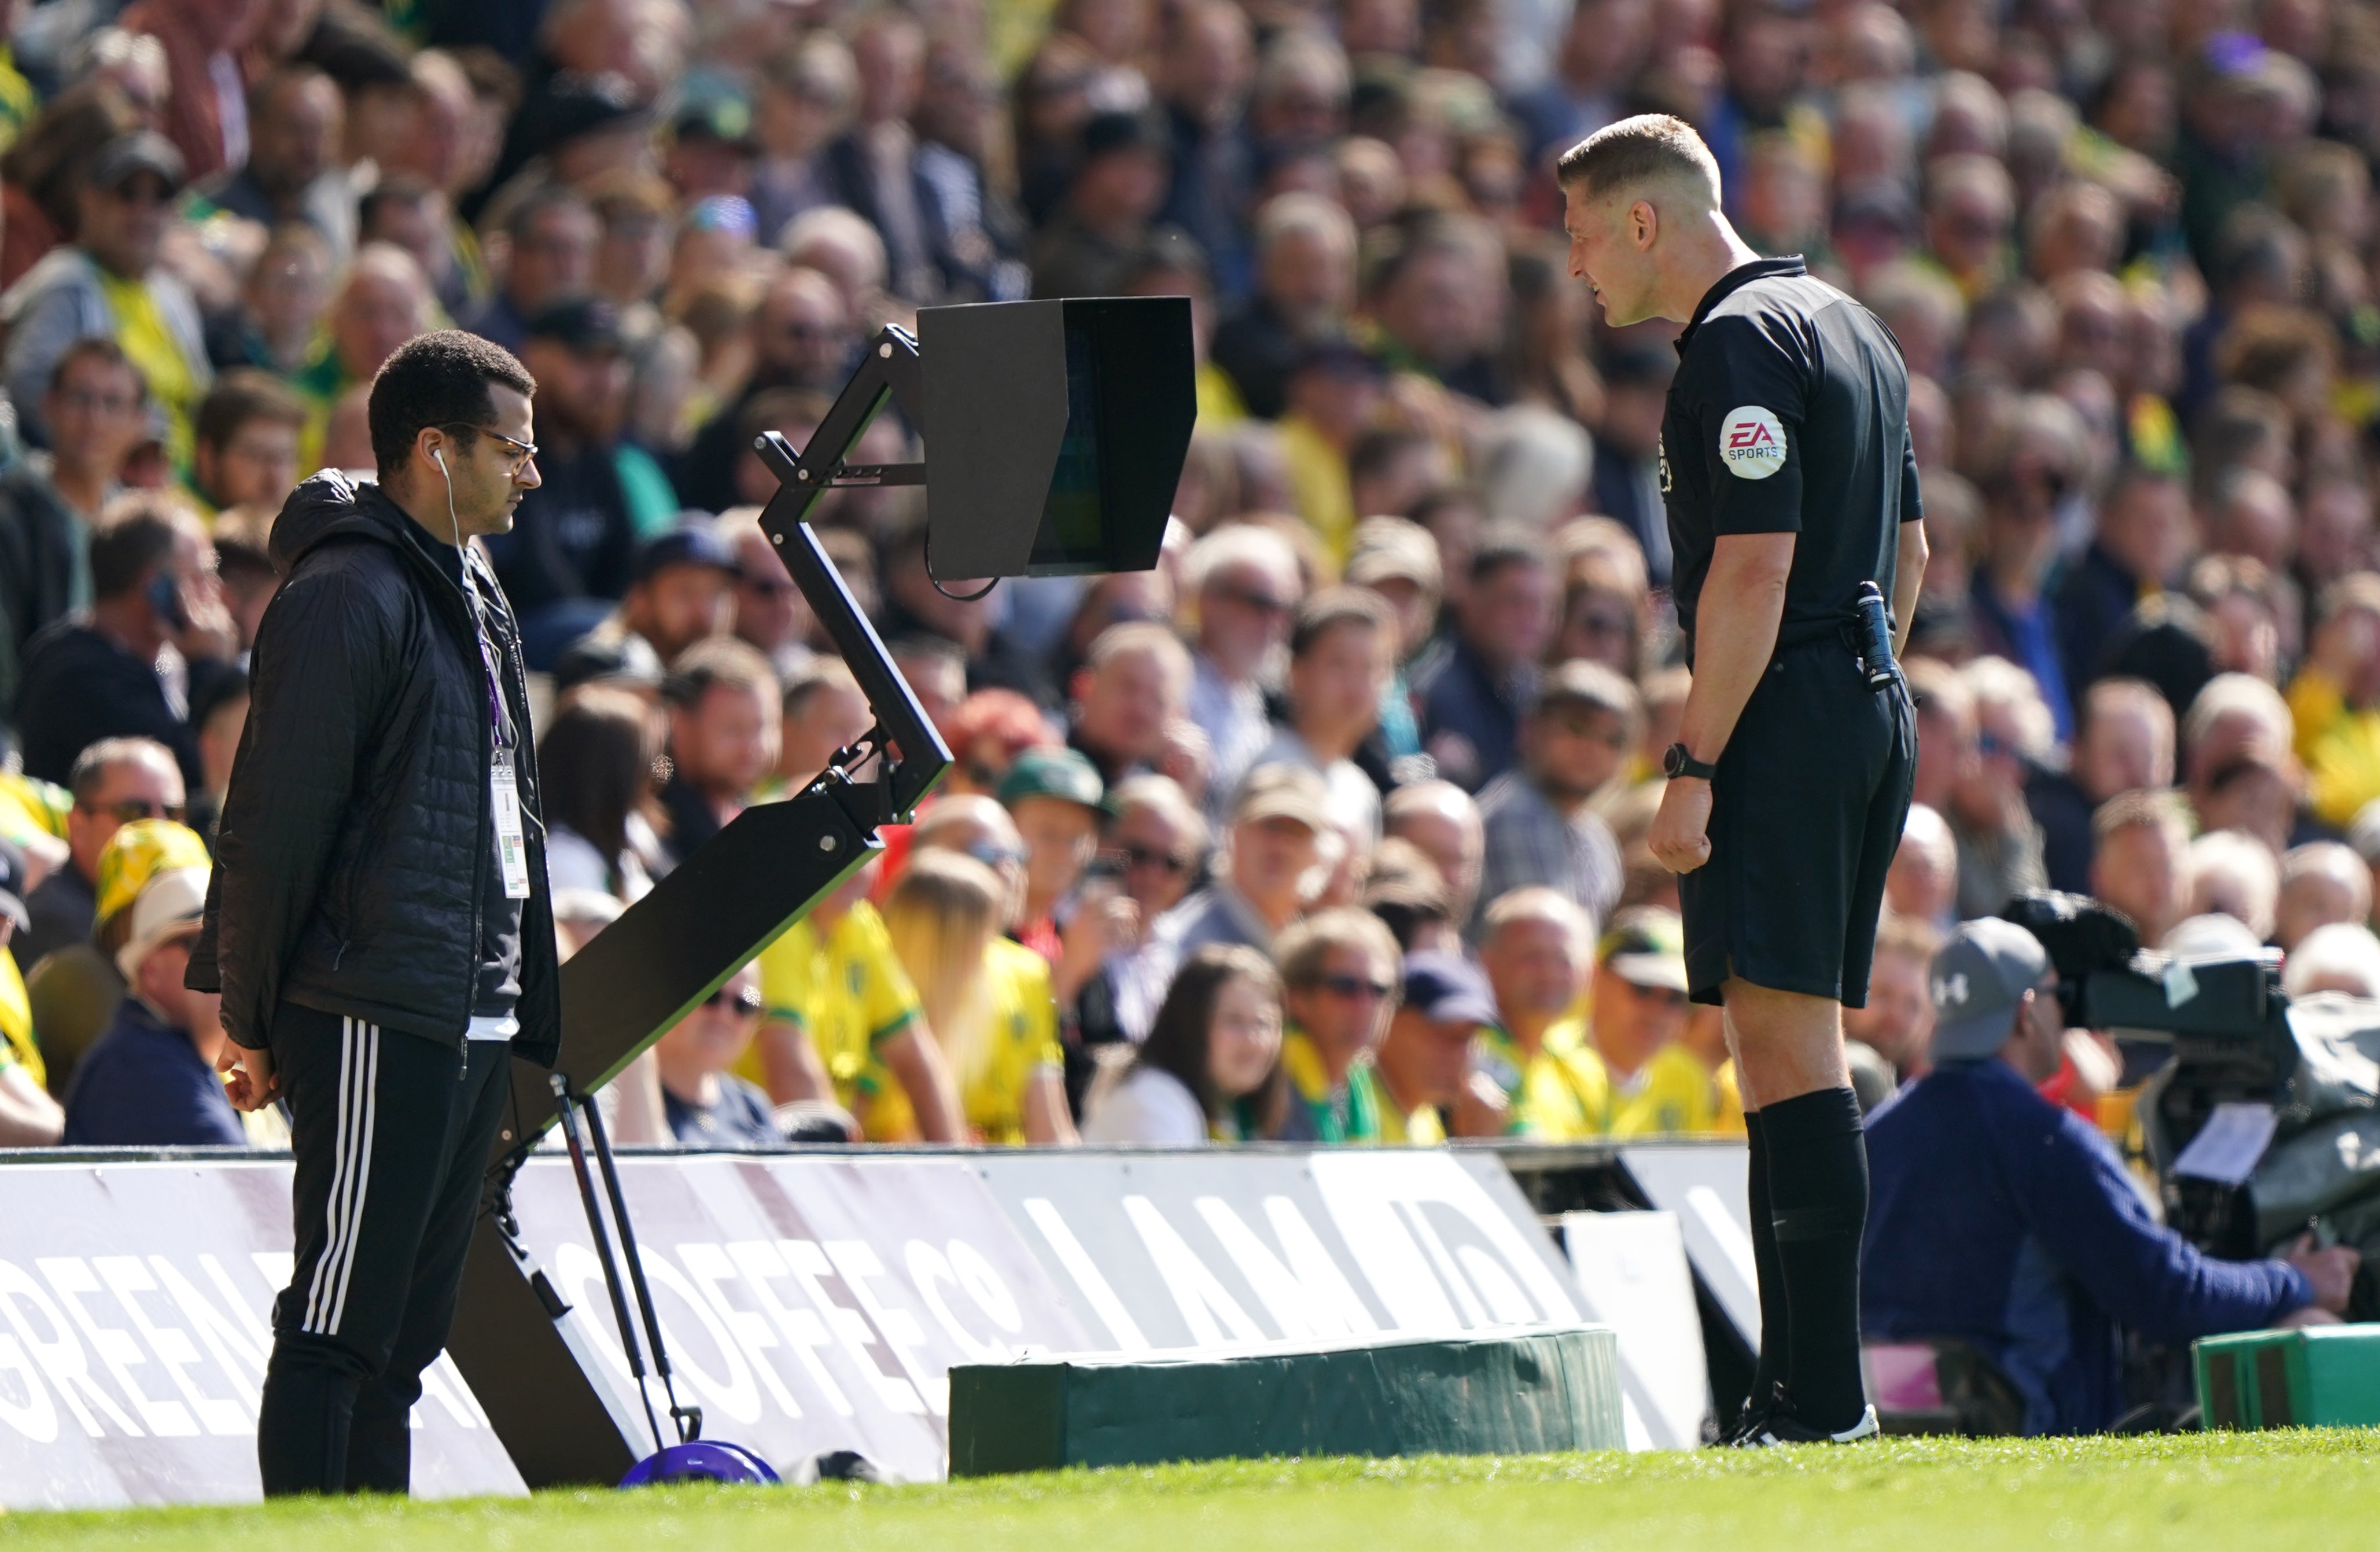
column 356, row 832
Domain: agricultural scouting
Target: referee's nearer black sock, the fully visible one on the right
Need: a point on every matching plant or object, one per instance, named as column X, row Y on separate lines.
column 1820, row 1210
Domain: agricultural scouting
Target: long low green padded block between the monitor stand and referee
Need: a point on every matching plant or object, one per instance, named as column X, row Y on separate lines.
column 1520, row 1391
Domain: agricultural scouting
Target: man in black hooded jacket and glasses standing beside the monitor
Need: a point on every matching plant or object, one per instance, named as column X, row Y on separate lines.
column 380, row 922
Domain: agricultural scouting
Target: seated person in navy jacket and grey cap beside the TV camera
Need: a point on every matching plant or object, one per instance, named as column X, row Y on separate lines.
column 2012, row 1225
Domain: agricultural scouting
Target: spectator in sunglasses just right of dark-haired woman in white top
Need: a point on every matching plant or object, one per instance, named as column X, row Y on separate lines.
column 1341, row 972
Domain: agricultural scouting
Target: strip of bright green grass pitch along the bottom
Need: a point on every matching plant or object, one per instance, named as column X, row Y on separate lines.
column 2257, row 1491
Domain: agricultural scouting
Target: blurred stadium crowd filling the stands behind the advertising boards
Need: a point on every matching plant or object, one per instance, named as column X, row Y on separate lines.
column 1334, row 825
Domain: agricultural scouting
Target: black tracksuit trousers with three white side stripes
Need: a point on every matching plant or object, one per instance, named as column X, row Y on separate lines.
column 392, row 1137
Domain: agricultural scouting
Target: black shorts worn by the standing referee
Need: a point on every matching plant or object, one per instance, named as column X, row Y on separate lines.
column 1805, row 815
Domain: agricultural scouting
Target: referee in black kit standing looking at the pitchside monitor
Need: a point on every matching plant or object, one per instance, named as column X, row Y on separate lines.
column 1791, row 484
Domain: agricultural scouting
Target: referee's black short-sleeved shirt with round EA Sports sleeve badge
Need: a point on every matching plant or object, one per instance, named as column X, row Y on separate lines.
column 1789, row 415
